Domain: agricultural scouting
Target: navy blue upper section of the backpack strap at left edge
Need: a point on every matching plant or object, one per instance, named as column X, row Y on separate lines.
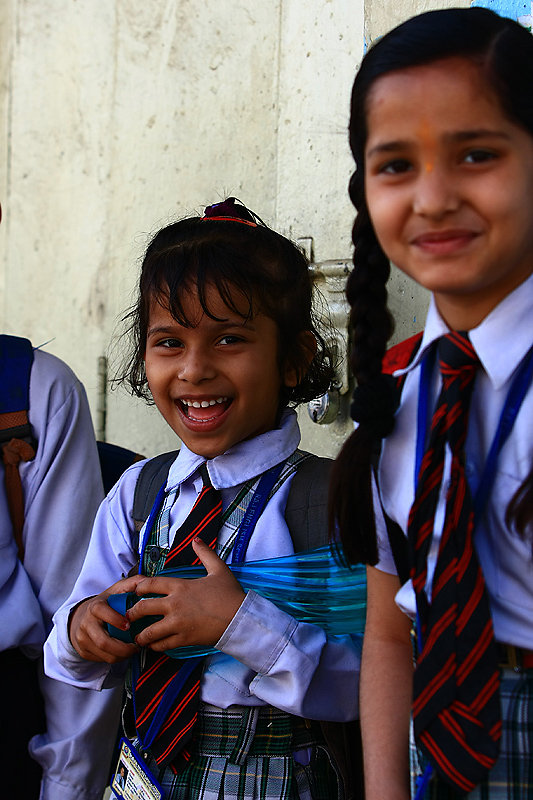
column 16, row 359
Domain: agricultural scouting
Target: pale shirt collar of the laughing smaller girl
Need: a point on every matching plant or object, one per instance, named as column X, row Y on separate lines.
column 244, row 460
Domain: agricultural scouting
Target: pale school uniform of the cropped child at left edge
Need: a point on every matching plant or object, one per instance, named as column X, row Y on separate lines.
column 62, row 489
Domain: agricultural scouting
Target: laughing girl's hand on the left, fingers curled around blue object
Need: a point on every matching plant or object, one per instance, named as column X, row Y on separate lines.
column 86, row 625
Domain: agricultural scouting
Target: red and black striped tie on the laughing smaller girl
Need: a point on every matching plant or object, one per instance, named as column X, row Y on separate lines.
column 159, row 670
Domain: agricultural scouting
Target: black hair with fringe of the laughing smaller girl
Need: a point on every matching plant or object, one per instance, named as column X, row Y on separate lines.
column 252, row 267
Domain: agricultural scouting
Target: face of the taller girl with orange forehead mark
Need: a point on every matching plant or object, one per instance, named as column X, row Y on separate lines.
column 449, row 186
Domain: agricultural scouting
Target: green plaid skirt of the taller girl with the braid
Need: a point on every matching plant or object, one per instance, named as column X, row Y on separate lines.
column 511, row 778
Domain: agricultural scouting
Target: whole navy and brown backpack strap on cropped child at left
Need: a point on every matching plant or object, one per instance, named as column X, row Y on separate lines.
column 16, row 436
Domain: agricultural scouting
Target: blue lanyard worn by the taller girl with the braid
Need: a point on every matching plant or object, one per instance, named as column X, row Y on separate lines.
column 513, row 401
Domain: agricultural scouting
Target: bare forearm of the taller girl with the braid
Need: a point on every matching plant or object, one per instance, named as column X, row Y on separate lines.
column 385, row 694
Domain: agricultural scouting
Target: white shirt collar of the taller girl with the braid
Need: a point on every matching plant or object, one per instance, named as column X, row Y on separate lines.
column 501, row 340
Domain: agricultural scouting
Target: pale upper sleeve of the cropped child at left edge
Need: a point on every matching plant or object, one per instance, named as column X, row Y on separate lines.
column 63, row 485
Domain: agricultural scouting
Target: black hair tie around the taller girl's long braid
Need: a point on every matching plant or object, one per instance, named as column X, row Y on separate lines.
column 374, row 405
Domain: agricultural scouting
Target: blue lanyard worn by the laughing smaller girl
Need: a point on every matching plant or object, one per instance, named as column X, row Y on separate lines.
column 246, row 528
